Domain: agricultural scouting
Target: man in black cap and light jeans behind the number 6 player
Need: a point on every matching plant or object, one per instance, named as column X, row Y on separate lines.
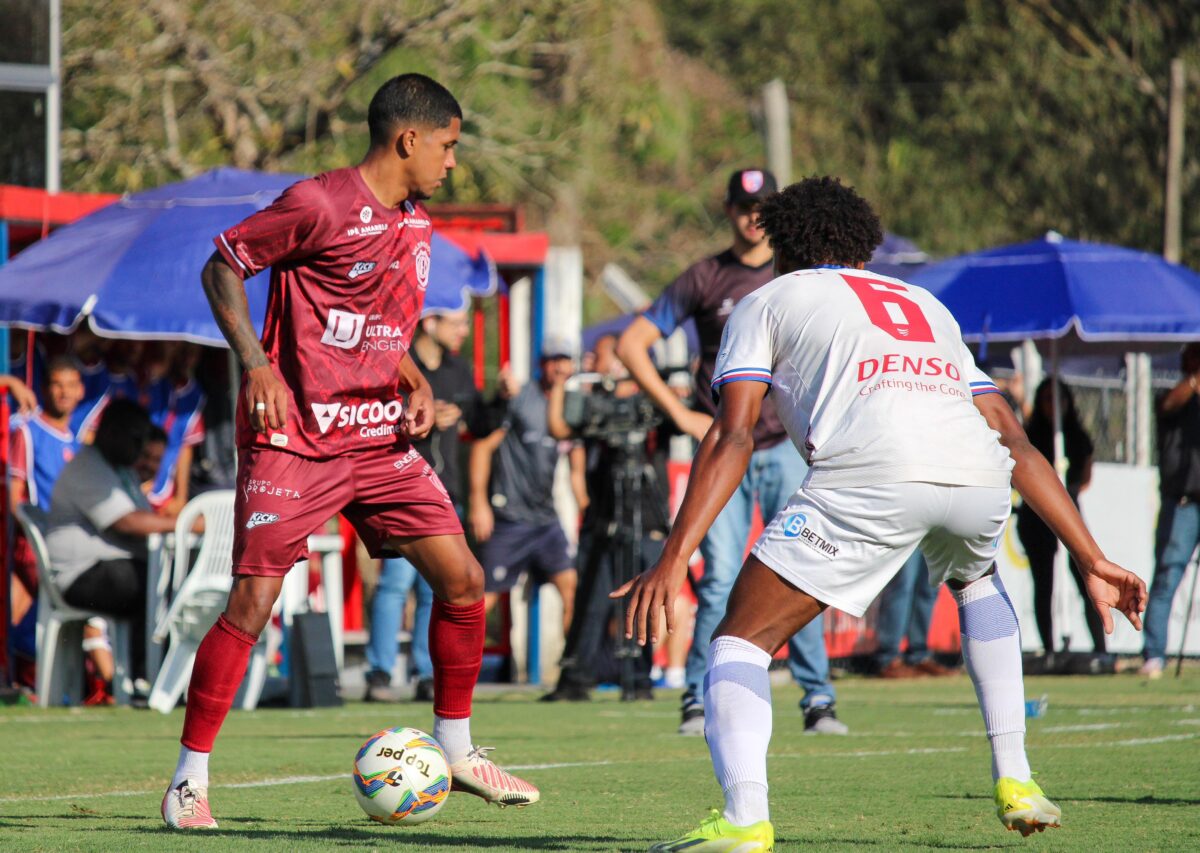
column 709, row 292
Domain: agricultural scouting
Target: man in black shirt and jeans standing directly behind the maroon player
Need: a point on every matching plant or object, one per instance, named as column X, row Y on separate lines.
column 457, row 405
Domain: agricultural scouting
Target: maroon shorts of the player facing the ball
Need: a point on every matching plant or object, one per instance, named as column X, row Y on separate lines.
column 284, row 498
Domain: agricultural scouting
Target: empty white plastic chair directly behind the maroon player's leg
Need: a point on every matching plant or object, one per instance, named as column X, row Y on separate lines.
column 200, row 600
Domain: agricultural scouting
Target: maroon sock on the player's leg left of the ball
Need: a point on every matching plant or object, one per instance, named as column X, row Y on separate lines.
column 220, row 666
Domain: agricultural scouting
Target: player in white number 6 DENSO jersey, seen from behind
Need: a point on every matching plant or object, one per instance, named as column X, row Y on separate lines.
column 910, row 446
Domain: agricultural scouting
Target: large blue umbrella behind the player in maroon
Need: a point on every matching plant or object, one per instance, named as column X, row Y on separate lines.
column 133, row 269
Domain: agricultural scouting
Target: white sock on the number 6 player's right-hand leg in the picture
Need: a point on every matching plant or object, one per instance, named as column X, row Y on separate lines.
column 992, row 648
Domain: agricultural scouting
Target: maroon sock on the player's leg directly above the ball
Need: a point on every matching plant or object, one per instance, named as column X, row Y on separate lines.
column 457, row 647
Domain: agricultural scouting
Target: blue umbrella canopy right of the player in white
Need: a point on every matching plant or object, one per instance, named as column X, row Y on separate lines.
column 1057, row 289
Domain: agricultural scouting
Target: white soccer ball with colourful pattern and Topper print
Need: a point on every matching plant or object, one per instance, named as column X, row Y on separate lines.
column 401, row 776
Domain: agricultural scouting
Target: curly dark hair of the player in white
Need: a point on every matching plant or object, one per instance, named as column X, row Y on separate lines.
column 820, row 221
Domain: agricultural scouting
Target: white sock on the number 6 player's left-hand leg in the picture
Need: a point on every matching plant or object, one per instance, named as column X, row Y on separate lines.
column 737, row 726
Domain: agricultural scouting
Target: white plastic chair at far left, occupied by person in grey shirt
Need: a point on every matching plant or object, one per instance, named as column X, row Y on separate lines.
column 61, row 629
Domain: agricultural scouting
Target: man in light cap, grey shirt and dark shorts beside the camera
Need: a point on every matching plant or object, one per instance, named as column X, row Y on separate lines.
column 513, row 514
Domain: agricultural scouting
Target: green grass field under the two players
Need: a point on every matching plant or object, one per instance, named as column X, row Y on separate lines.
column 1120, row 755
